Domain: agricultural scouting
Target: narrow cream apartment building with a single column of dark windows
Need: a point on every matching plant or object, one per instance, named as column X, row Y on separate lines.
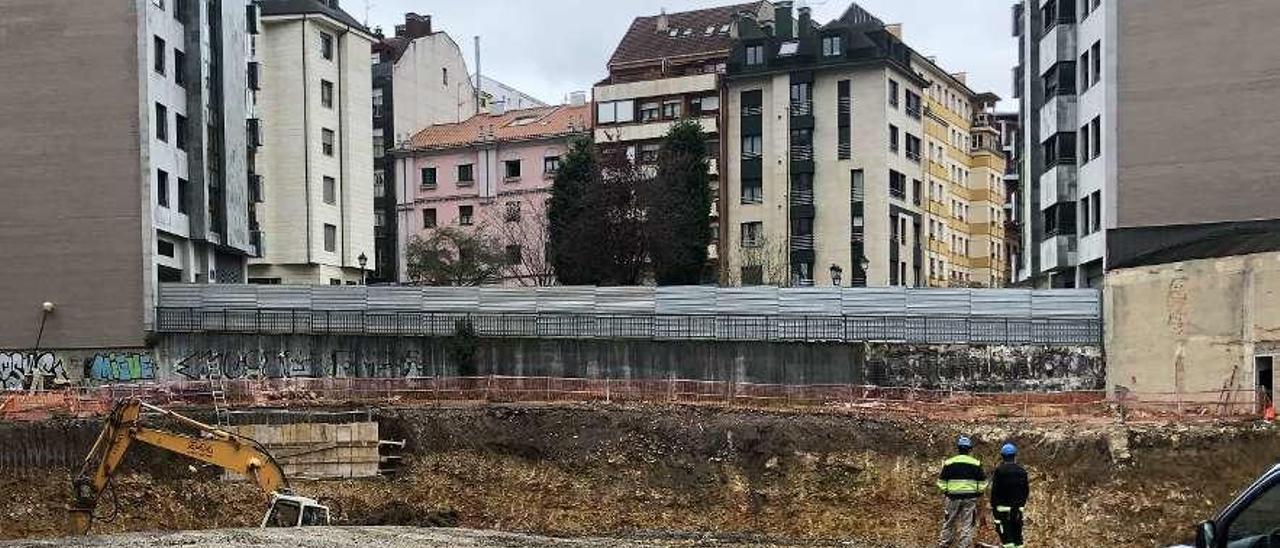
column 316, row 157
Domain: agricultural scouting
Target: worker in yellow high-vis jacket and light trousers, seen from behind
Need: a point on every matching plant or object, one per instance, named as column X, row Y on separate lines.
column 962, row 482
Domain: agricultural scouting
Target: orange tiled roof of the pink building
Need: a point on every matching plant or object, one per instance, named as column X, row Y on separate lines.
column 524, row 125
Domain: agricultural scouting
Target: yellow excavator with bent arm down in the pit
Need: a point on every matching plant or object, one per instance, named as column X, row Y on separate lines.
column 214, row 446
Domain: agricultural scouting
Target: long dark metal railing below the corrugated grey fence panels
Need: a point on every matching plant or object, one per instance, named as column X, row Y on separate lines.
column 788, row 328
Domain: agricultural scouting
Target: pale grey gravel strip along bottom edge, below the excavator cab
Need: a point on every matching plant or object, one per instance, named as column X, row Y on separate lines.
column 392, row 538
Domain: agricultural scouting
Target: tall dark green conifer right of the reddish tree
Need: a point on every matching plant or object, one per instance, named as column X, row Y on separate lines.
column 678, row 207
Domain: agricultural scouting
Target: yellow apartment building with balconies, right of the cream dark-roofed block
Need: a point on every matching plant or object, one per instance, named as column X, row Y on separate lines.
column 964, row 176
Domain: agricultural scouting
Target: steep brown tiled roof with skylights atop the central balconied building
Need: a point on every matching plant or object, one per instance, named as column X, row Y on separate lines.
column 644, row 43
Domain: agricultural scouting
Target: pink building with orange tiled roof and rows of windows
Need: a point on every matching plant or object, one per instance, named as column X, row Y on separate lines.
column 492, row 173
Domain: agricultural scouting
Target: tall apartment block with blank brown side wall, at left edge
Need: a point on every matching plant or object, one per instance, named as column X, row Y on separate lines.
column 126, row 158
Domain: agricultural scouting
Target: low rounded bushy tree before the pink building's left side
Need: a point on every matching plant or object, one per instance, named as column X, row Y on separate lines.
column 454, row 257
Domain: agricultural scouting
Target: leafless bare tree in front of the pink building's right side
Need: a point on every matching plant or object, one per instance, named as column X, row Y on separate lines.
column 522, row 227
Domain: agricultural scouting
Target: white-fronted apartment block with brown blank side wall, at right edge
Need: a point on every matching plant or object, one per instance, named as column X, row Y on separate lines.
column 1144, row 134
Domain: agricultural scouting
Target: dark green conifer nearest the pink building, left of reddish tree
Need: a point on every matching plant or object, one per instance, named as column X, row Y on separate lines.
column 570, row 246
